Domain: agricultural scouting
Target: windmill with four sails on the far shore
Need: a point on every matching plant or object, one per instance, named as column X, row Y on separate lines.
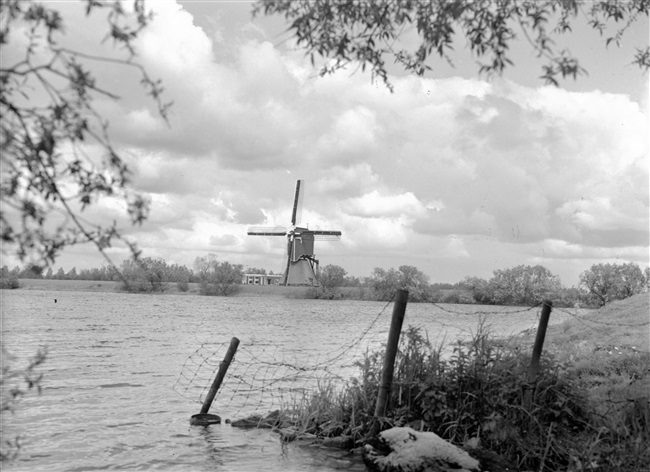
column 301, row 261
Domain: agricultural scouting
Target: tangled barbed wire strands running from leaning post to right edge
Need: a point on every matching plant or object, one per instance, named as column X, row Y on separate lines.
column 266, row 376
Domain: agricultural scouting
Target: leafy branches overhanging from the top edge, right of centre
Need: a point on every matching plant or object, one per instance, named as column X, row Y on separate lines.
column 369, row 33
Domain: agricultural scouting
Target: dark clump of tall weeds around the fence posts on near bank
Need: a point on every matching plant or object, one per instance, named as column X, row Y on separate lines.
column 479, row 393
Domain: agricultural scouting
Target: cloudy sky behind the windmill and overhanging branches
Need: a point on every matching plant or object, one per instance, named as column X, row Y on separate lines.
column 452, row 173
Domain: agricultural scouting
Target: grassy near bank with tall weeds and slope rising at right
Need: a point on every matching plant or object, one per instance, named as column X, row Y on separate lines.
column 590, row 407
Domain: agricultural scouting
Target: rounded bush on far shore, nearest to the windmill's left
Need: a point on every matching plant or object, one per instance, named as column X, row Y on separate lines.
column 218, row 278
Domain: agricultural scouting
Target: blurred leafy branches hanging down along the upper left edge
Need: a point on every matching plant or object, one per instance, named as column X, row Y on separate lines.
column 49, row 122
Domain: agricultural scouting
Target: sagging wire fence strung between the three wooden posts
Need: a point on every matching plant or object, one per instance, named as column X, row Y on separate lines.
column 268, row 374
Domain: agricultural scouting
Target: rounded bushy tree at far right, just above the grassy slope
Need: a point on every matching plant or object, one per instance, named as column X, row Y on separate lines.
column 608, row 282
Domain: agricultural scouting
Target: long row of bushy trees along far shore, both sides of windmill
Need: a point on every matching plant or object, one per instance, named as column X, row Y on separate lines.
column 522, row 285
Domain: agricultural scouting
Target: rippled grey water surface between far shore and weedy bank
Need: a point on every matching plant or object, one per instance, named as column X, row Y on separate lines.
column 114, row 358
